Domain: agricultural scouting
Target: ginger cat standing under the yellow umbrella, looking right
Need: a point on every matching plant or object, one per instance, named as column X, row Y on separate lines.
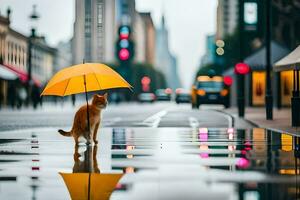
column 80, row 124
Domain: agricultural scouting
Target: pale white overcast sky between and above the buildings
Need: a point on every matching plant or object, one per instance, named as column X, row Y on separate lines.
column 188, row 21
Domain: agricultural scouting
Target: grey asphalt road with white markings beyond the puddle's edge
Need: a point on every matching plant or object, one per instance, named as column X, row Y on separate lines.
column 162, row 114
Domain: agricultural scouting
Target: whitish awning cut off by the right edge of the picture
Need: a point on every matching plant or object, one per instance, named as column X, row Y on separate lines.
column 289, row 62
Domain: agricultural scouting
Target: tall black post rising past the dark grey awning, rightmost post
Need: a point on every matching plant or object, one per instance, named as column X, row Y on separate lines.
column 269, row 96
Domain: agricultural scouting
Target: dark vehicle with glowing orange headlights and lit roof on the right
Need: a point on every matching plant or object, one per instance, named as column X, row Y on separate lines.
column 210, row 90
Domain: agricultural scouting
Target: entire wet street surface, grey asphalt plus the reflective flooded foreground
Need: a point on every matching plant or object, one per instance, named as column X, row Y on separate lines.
column 154, row 147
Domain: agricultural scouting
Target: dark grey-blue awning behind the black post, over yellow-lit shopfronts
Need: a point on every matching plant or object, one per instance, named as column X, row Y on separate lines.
column 257, row 61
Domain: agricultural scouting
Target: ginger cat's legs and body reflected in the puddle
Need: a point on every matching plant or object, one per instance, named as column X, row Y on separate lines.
column 89, row 164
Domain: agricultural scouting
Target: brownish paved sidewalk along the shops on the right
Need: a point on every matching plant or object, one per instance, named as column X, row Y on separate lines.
column 281, row 119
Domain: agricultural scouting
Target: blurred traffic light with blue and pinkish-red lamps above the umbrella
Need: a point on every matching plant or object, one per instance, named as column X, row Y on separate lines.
column 124, row 46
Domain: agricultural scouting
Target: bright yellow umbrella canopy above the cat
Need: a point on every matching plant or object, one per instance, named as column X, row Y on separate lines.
column 72, row 80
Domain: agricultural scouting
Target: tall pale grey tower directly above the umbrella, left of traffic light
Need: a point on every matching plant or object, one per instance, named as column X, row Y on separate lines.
column 94, row 31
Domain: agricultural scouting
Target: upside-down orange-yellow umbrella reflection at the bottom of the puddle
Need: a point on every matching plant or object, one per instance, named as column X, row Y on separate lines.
column 98, row 186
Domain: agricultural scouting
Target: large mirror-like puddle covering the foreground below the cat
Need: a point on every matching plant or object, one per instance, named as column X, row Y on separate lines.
column 148, row 163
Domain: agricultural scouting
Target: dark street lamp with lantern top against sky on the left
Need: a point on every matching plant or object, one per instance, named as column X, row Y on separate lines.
column 33, row 18
